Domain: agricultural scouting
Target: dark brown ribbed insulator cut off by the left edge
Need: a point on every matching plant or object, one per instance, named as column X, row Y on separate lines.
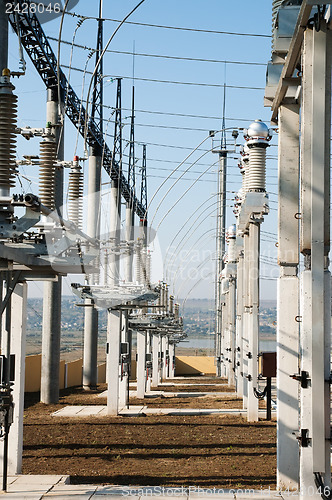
column 8, row 115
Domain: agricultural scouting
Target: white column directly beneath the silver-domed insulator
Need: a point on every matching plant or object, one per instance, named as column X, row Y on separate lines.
column 254, row 238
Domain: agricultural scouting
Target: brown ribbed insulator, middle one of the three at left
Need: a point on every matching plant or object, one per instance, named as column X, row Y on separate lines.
column 47, row 173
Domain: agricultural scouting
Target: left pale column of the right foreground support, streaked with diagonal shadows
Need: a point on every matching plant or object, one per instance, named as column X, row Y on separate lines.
column 288, row 300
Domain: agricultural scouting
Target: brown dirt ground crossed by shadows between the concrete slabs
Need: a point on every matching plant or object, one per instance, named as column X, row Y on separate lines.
column 207, row 451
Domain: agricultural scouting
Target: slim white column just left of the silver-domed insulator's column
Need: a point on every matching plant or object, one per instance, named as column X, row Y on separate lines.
column 239, row 326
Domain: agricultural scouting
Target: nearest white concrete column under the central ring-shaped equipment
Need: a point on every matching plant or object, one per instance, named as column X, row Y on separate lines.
column 113, row 361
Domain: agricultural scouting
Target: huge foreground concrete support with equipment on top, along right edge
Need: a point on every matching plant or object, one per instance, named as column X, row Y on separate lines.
column 299, row 93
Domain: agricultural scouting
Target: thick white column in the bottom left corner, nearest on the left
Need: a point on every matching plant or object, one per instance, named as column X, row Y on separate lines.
column 18, row 346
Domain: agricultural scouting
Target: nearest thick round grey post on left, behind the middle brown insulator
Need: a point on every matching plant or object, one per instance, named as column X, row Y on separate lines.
column 51, row 336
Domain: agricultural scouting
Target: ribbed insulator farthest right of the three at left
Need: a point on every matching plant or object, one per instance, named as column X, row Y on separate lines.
column 75, row 195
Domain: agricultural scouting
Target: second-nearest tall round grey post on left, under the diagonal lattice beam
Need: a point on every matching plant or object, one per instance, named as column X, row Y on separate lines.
column 90, row 377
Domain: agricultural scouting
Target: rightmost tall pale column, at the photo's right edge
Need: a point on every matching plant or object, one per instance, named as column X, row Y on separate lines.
column 315, row 245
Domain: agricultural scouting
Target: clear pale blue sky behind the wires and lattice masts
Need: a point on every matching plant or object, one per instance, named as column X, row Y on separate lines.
column 170, row 137
